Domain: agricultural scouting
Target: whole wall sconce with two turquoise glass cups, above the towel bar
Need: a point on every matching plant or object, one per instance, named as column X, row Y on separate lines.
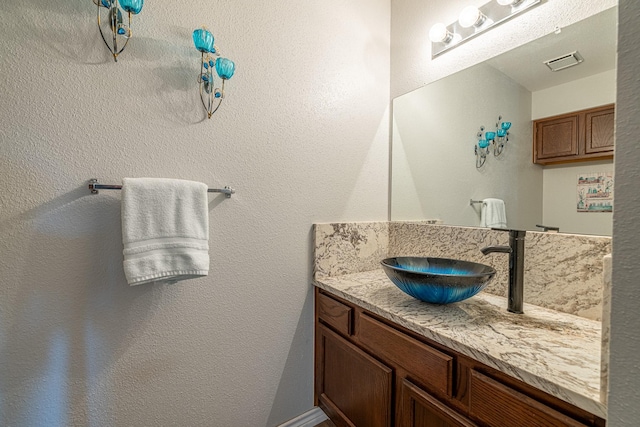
column 210, row 95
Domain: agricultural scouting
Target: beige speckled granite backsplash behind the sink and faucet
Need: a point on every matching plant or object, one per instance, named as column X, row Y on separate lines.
column 563, row 272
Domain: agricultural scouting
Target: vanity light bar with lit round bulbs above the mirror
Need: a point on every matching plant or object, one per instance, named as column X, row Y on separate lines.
column 475, row 20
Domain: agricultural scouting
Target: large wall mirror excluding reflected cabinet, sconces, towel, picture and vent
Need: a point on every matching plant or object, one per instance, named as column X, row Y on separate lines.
column 434, row 174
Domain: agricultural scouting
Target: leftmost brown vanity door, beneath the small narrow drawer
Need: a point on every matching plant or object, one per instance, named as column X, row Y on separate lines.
column 352, row 387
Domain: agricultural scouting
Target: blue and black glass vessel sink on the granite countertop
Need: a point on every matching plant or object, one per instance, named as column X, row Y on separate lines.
column 438, row 280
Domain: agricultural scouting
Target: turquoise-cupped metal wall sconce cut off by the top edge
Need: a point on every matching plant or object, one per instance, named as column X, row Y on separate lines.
column 121, row 33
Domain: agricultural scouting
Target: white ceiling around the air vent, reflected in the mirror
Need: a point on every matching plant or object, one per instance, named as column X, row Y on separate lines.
column 594, row 38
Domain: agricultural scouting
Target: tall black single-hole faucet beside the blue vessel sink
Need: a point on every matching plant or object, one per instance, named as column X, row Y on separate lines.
column 516, row 267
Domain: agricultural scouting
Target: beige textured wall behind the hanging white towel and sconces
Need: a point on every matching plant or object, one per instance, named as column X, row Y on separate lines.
column 302, row 137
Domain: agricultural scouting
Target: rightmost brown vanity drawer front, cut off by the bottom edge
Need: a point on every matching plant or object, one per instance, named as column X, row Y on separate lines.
column 498, row 405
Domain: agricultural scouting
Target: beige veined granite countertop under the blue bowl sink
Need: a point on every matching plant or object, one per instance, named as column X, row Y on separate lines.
column 556, row 352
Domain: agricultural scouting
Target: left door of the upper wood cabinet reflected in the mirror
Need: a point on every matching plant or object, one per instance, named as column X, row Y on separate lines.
column 557, row 137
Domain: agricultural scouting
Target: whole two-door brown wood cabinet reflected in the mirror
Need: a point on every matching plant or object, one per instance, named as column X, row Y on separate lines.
column 579, row 136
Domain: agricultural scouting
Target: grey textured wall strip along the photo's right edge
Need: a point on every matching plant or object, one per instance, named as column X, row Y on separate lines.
column 625, row 299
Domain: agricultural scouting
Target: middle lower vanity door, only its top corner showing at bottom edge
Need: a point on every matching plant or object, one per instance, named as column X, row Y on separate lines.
column 420, row 409
